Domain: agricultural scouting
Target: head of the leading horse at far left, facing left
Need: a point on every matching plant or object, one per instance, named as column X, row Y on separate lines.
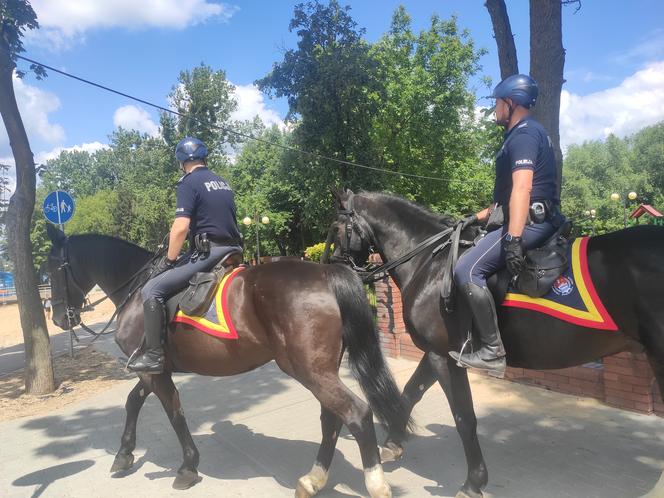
column 68, row 286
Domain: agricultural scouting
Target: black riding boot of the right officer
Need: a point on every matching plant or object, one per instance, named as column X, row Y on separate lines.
column 491, row 356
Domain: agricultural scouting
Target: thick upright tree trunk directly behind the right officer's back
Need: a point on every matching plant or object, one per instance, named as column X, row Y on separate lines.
column 547, row 61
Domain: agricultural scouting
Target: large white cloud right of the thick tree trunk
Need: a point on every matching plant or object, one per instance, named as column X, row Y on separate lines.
column 622, row 110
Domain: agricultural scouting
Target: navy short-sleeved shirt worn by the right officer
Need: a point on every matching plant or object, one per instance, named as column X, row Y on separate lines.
column 527, row 146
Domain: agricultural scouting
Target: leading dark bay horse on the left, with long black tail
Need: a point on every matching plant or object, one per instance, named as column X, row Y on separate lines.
column 302, row 315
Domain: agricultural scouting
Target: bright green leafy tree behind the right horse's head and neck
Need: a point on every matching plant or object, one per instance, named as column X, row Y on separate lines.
column 426, row 123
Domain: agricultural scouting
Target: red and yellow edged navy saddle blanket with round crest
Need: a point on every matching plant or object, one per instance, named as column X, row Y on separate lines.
column 572, row 298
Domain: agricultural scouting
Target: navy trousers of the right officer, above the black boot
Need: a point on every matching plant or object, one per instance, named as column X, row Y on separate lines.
column 488, row 257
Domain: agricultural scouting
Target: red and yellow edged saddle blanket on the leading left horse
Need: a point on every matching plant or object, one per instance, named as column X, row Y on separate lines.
column 217, row 319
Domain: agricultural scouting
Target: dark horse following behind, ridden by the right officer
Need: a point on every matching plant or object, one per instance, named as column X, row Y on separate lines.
column 626, row 267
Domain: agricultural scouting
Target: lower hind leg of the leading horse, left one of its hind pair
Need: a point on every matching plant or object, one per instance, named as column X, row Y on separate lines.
column 316, row 479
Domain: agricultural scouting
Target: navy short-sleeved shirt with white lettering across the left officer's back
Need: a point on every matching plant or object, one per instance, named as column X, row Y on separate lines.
column 209, row 203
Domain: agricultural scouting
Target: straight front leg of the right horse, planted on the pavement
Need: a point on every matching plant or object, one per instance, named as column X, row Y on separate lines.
column 454, row 381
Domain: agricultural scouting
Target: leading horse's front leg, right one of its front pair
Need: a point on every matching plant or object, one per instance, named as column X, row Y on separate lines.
column 163, row 387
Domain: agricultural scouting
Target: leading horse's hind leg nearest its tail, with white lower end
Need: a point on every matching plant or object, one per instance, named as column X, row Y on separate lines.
column 358, row 417
